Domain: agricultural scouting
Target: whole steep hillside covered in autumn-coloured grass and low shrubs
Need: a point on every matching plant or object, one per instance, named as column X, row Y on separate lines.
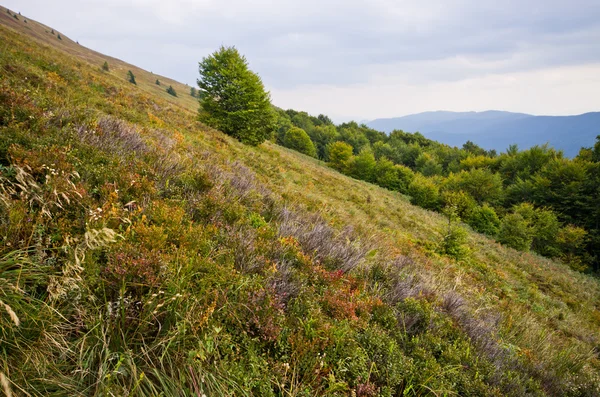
column 146, row 254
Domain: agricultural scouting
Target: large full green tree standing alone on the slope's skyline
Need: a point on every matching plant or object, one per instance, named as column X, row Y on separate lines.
column 233, row 98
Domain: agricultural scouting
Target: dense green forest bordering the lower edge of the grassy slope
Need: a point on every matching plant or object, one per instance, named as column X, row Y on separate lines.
column 535, row 199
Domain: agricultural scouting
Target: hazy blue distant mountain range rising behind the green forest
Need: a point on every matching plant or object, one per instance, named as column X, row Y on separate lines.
column 497, row 130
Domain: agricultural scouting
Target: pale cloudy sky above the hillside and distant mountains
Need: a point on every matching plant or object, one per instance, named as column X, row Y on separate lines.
column 361, row 59
